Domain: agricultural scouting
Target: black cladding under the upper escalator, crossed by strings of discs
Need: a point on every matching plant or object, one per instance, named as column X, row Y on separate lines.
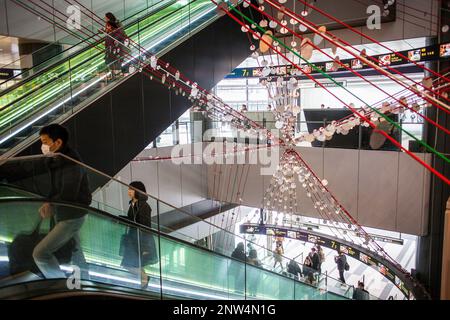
column 115, row 128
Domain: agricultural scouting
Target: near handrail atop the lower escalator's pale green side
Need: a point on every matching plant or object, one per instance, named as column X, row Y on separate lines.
column 158, row 233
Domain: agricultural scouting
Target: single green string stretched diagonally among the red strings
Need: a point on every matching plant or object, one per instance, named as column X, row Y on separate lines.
column 339, row 85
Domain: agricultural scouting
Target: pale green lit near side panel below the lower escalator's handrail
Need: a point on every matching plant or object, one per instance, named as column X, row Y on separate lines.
column 183, row 270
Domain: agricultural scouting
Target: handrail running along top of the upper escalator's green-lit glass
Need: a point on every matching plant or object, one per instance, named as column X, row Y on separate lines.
column 79, row 51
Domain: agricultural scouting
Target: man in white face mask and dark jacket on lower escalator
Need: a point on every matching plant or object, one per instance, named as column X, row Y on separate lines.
column 69, row 183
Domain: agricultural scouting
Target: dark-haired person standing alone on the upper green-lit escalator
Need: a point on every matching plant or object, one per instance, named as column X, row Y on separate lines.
column 116, row 42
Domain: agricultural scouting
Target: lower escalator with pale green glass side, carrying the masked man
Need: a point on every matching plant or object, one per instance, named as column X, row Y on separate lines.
column 184, row 269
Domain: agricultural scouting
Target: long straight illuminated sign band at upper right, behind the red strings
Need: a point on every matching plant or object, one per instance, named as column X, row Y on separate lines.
column 428, row 53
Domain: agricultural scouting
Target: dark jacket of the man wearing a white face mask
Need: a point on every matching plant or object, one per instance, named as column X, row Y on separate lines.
column 69, row 183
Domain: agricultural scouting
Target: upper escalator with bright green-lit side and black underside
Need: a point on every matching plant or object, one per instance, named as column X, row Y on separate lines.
column 124, row 115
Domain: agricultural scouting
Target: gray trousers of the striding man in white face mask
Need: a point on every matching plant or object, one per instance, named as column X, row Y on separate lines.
column 43, row 253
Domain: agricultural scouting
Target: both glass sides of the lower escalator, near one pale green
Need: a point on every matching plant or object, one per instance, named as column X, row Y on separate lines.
column 184, row 268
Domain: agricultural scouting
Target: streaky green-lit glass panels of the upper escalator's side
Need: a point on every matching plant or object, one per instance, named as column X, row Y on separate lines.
column 57, row 84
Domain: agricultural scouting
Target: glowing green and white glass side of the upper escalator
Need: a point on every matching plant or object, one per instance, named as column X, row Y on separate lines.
column 82, row 78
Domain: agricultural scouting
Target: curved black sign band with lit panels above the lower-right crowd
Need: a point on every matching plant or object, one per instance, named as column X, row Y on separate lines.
column 305, row 236
